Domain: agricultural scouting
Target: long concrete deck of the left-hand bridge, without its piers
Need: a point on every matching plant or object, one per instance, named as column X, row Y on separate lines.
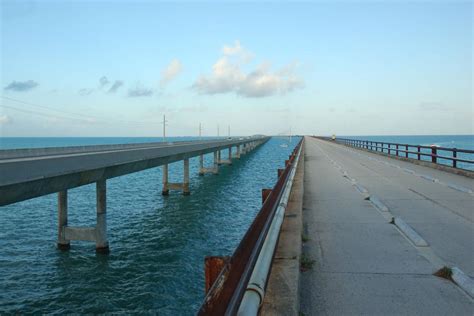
column 30, row 173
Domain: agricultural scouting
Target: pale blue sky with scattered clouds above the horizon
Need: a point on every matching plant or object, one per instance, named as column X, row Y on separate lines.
column 114, row 68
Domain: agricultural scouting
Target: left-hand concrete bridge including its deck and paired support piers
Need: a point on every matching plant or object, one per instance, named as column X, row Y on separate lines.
column 30, row 173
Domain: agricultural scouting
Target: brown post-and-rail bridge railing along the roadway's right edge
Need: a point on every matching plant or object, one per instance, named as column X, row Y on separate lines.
column 453, row 157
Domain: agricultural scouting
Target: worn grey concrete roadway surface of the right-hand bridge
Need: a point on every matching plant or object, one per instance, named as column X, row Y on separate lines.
column 366, row 265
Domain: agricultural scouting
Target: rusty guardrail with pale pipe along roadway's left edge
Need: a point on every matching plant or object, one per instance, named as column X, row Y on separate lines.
column 226, row 293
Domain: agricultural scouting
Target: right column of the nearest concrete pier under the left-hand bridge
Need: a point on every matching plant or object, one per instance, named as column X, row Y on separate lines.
column 101, row 244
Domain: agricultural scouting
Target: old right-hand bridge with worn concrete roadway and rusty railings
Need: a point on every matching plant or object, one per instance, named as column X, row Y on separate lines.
column 367, row 229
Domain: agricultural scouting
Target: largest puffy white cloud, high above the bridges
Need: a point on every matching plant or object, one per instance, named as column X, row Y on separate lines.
column 227, row 76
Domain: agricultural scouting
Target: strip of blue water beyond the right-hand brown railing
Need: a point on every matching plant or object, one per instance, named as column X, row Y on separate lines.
column 448, row 141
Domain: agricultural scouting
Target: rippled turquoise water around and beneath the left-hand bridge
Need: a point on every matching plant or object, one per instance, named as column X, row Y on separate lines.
column 158, row 244
